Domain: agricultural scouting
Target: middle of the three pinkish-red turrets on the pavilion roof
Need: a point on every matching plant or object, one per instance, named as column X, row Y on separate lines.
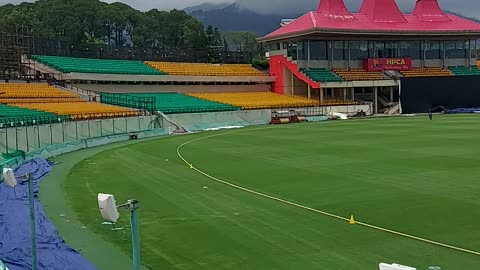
column 382, row 11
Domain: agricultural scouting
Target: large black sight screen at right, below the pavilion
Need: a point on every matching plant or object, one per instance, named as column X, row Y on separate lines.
column 417, row 95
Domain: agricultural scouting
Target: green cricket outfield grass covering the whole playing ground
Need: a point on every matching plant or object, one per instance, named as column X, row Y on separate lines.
column 409, row 175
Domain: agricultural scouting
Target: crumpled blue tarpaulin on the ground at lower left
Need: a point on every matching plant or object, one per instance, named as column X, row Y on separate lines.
column 15, row 244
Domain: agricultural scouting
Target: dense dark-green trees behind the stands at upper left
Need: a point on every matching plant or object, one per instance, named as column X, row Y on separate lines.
column 83, row 23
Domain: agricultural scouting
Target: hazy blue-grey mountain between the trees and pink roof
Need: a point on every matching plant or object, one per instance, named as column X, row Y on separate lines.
column 233, row 18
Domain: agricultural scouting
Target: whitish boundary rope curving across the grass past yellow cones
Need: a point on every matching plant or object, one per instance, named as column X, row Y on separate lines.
column 473, row 252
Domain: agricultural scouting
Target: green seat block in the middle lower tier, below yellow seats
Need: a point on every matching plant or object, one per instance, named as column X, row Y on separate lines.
column 171, row 103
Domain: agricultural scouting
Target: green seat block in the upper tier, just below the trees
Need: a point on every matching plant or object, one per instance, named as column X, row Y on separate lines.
column 101, row 66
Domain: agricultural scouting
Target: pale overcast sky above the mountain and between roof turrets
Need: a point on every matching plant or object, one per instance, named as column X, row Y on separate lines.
column 466, row 7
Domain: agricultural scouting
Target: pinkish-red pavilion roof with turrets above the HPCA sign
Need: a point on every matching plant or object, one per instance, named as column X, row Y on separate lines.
column 376, row 17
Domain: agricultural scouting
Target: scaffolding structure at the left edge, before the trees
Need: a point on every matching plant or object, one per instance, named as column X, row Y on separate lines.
column 15, row 47
